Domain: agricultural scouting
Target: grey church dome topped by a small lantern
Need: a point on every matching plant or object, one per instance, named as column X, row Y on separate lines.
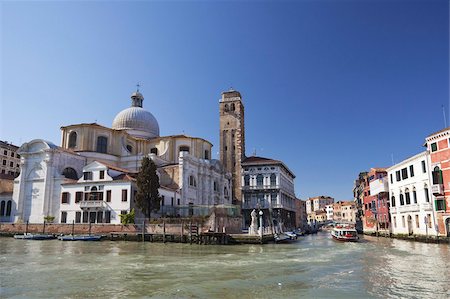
column 136, row 120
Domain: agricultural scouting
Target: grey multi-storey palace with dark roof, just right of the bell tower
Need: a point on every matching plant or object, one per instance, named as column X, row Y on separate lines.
column 268, row 185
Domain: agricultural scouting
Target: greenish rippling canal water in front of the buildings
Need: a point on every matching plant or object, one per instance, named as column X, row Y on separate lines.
column 314, row 267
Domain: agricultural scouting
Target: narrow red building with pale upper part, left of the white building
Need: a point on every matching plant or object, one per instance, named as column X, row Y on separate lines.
column 375, row 202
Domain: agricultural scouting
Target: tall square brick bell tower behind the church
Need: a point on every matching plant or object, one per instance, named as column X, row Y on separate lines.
column 232, row 138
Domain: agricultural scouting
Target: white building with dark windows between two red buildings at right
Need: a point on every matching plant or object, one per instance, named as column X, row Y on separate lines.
column 411, row 208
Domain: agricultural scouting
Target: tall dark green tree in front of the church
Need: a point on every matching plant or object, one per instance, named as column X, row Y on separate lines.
column 147, row 181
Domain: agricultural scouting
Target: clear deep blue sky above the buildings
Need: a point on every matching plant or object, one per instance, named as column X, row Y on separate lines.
column 332, row 88
